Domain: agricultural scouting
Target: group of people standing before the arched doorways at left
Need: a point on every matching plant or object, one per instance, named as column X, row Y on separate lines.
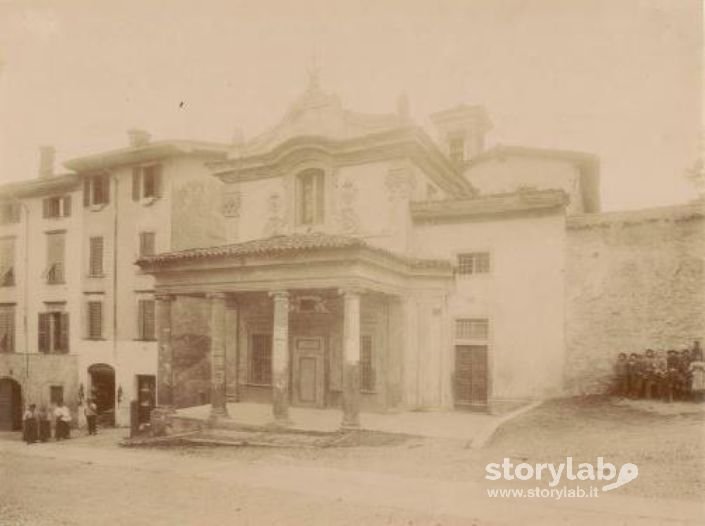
column 36, row 423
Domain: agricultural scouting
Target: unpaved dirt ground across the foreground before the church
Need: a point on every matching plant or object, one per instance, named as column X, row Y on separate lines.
column 176, row 486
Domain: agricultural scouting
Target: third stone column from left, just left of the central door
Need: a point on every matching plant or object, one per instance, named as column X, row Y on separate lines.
column 280, row 358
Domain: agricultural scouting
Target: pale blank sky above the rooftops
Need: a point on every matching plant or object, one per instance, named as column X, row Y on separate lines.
column 617, row 78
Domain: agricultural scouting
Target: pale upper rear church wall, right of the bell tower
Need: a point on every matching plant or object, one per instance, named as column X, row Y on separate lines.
column 508, row 175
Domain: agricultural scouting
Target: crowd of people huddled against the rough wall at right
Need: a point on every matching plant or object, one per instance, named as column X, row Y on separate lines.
column 667, row 375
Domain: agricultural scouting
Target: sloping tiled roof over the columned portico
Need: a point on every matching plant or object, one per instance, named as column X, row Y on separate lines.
column 286, row 244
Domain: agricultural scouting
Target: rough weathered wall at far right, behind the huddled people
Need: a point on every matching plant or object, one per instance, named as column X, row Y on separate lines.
column 635, row 280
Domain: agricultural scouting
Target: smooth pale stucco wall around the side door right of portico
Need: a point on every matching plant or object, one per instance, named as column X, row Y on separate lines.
column 522, row 297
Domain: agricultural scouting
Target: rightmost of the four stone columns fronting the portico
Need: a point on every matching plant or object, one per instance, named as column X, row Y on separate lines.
column 351, row 359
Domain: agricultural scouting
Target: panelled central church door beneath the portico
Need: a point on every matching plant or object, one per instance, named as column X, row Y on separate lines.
column 308, row 372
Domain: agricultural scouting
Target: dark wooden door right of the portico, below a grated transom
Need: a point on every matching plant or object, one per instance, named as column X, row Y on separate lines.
column 471, row 375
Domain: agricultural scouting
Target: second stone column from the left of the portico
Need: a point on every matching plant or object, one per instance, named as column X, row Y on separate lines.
column 216, row 327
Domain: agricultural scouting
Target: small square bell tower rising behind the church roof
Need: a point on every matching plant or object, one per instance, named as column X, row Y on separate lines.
column 461, row 131
